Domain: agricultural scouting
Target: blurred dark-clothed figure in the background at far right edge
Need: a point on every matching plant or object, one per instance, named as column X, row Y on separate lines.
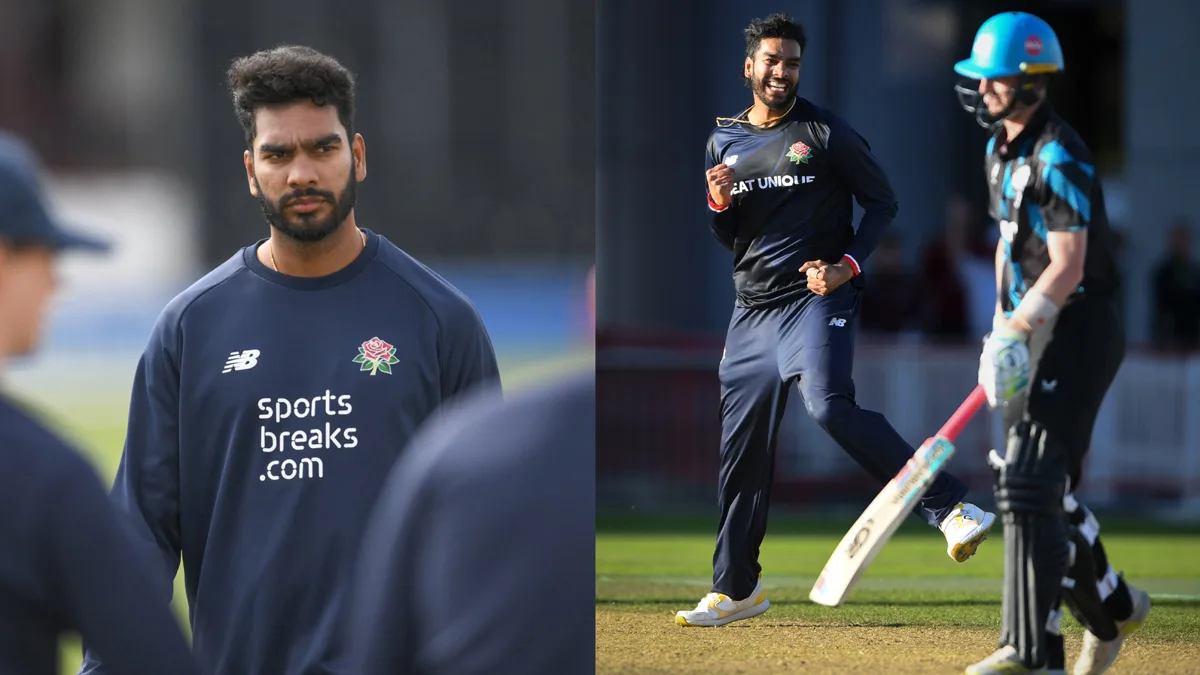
column 1177, row 312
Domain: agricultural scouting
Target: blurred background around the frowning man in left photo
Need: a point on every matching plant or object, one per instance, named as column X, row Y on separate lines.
column 479, row 124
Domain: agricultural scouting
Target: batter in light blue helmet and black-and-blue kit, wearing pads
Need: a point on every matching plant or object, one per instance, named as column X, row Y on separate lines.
column 1054, row 350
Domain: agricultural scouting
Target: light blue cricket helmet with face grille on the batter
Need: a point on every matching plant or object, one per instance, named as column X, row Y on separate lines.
column 1009, row 45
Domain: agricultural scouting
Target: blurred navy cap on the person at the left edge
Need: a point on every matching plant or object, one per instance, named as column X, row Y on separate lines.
column 25, row 217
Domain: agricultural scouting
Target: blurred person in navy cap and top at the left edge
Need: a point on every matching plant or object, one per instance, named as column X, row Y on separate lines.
column 67, row 561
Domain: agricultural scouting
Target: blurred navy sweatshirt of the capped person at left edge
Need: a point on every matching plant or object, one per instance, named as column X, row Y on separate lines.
column 69, row 565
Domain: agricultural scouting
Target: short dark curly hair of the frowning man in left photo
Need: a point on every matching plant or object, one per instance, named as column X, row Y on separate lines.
column 286, row 75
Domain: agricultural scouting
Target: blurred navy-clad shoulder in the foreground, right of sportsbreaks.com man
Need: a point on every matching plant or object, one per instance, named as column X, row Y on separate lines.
column 481, row 557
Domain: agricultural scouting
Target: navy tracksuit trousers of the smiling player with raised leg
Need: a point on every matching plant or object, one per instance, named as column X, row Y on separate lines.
column 811, row 341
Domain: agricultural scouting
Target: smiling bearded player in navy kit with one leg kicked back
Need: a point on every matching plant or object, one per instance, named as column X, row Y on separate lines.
column 782, row 178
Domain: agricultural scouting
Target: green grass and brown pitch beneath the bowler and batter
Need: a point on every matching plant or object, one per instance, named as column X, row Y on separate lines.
column 916, row 611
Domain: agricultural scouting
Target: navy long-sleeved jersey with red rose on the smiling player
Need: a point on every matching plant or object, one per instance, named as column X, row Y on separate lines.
column 794, row 199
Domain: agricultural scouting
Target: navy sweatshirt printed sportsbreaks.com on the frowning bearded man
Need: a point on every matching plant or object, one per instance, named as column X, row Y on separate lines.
column 266, row 416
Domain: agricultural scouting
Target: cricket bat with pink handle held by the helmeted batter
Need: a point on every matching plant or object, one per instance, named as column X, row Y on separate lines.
column 881, row 519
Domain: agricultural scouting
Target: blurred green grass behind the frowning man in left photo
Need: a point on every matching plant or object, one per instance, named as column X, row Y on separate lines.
column 92, row 414
